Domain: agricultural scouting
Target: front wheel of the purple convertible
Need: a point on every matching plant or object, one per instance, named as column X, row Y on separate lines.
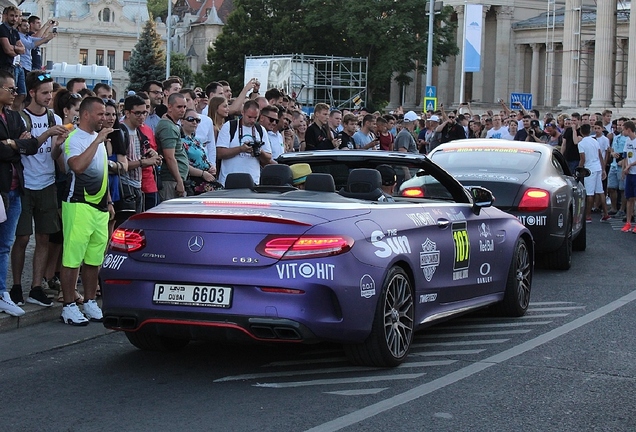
column 519, row 283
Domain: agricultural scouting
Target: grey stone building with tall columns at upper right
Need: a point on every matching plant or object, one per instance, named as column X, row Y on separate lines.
column 567, row 54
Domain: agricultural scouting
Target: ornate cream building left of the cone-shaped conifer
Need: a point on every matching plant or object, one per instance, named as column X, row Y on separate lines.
column 102, row 32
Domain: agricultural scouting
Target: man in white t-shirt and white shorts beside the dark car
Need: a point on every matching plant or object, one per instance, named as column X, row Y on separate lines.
column 591, row 158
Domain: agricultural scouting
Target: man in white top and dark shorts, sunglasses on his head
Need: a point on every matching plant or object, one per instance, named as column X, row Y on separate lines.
column 39, row 202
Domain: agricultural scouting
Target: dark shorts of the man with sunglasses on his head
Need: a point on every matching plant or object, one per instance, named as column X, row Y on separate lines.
column 39, row 206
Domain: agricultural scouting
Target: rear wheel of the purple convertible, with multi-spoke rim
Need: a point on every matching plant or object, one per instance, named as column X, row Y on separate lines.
column 392, row 332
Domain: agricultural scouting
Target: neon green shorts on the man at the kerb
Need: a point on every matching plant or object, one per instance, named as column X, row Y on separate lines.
column 85, row 234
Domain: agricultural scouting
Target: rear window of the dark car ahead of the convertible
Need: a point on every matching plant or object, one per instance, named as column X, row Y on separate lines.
column 487, row 159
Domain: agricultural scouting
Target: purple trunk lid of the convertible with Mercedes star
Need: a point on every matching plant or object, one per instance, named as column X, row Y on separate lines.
column 227, row 232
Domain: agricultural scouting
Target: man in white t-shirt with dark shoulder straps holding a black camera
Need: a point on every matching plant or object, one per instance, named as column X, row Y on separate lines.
column 240, row 151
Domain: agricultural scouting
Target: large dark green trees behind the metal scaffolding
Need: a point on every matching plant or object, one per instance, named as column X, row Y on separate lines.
column 391, row 34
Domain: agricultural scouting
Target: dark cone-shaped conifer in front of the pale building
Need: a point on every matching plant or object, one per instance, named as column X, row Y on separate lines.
column 148, row 59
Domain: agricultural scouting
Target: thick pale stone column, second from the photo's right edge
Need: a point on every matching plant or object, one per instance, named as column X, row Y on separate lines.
column 603, row 58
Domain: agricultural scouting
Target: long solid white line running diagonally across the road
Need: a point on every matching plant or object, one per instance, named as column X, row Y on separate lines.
column 453, row 377
